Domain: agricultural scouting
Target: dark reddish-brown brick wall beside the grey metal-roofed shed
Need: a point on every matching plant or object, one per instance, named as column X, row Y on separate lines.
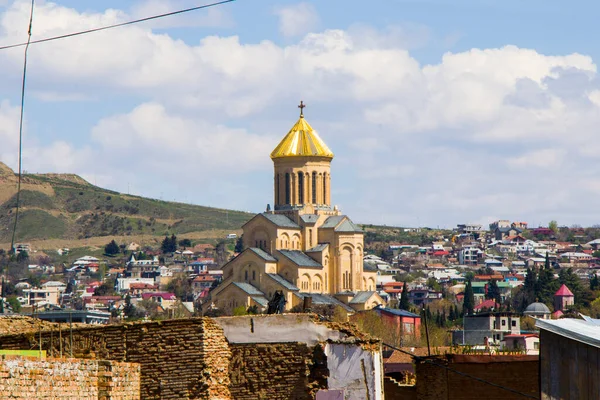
column 520, row 373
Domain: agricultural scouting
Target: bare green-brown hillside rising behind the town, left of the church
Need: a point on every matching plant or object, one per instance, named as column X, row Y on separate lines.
column 65, row 206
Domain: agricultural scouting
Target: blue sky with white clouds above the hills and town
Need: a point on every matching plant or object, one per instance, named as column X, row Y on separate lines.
column 439, row 112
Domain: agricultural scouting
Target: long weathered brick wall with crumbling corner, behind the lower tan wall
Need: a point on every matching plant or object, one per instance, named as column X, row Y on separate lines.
column 179, row 359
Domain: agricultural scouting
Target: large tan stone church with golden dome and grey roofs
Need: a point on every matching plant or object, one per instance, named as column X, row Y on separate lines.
column 304, row 246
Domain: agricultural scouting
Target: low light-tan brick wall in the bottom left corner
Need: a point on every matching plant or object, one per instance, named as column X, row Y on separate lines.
column 62, row 379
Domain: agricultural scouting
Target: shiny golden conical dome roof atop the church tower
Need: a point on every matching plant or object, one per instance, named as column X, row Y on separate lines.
column 301, row 141
